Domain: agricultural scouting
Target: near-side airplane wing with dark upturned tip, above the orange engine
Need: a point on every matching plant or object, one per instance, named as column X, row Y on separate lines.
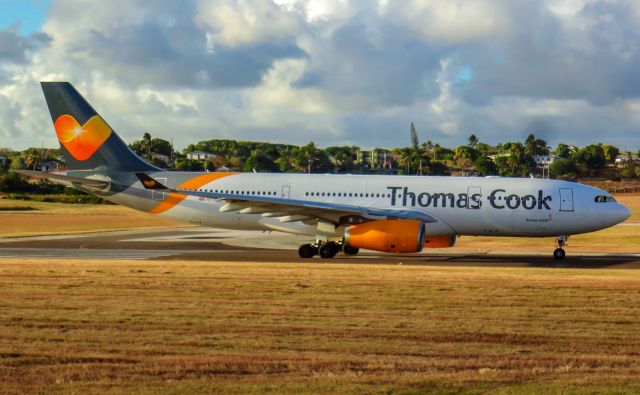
column 290, row 210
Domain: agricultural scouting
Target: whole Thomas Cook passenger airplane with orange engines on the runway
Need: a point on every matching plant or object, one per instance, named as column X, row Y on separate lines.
column 339, row 213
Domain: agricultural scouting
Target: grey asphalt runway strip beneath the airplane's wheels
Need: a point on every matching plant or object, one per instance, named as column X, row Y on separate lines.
column 207, row 244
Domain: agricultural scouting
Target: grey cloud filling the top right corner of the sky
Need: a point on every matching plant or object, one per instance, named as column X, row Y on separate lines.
column 593, row 55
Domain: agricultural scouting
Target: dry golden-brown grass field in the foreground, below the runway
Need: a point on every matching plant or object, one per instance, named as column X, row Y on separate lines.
column 193, row 327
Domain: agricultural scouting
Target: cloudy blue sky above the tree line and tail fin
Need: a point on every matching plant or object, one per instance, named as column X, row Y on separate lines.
column 335, row 72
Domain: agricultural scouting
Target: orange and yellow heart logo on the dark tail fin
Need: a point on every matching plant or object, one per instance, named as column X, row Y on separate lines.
column 81, row 141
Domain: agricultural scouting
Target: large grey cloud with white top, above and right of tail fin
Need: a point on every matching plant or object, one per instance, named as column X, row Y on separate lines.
column 166, row 46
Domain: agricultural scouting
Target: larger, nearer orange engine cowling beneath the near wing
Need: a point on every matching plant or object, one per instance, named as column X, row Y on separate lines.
column 400, row 236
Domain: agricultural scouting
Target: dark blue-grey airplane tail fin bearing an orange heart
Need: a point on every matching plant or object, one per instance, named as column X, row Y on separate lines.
column 86, row 140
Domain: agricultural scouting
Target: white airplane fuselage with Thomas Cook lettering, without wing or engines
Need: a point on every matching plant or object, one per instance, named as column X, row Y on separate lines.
column 491, row 206
